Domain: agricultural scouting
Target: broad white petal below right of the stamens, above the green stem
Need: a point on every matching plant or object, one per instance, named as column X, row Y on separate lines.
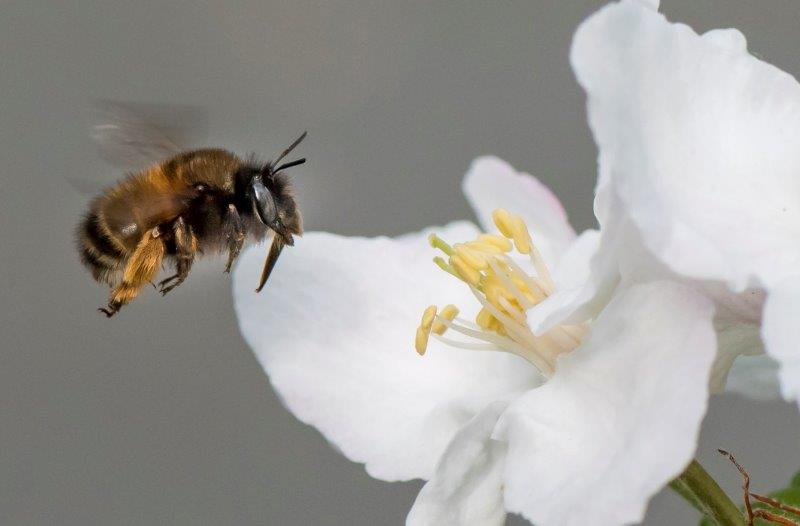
column 620, row 417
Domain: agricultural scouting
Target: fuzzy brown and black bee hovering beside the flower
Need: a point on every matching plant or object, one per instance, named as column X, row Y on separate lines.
column 190, row 203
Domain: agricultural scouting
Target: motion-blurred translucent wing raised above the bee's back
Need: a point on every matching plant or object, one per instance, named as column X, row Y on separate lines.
column 135, row 135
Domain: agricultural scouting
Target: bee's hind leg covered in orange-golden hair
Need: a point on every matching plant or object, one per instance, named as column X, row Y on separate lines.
column 141, row 268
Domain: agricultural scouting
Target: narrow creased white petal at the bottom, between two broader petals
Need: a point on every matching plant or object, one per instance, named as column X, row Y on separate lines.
column 467, row 487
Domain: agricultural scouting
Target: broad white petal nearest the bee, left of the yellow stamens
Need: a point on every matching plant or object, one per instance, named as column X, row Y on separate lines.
column 334, row 330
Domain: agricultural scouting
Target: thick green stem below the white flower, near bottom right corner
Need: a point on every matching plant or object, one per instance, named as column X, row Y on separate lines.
column 704, row 494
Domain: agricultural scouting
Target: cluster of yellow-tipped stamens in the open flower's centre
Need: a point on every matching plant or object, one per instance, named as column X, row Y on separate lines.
column 505, row 291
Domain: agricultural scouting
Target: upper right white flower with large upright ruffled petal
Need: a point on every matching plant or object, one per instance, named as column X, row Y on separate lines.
column 699, row 181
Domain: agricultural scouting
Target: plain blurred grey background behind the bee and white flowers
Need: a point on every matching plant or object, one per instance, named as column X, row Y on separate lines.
column 162, row 415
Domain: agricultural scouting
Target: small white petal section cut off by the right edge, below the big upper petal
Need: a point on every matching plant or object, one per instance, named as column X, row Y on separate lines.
column 781, row 333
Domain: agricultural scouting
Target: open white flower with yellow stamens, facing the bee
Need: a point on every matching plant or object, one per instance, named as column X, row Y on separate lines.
column 567, row 427
